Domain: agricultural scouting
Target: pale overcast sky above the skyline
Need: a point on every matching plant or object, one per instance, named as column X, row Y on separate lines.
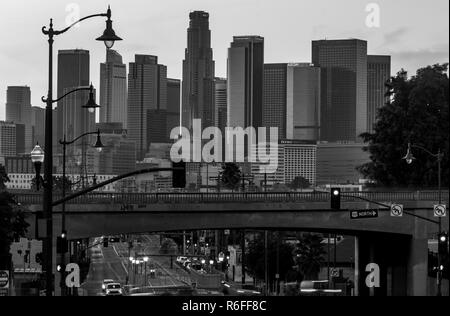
column 414, row 32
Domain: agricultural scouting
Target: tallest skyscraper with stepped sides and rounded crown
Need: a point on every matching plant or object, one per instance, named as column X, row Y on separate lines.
column 198, row 72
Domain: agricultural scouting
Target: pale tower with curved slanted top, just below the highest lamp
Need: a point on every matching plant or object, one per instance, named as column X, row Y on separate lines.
column 113, row 89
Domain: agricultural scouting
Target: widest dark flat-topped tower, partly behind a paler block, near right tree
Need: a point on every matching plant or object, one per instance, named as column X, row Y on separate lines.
column 344, row 88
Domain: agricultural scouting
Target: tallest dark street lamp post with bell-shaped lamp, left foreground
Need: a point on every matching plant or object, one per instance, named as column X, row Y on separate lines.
column 108, row 37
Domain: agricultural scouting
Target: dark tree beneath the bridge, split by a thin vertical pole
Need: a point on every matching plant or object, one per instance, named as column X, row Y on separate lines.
column 255, row 259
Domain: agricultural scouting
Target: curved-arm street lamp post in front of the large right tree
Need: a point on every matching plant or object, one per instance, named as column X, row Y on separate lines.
column 409, row 158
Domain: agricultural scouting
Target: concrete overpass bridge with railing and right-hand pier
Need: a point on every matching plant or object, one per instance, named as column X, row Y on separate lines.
column 398, row 244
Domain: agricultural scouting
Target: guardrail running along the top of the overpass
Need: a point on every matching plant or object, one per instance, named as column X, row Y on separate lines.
column 251, row 197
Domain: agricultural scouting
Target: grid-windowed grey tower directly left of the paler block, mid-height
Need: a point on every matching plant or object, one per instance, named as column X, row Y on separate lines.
column 274, row 101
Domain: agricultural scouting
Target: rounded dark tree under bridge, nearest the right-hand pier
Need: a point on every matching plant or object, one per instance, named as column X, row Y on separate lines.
column 310, row 255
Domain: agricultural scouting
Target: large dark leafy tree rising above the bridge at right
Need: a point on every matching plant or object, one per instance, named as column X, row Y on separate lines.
column 418, row 113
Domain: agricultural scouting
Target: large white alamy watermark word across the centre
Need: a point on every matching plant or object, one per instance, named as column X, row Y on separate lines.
column 241, row 145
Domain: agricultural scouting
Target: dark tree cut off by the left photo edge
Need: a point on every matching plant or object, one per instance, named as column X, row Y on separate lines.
column 12, row 221
